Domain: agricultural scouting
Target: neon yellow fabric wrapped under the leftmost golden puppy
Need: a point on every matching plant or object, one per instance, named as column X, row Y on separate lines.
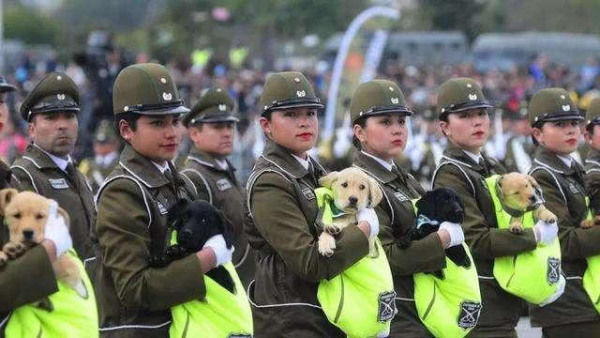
column 73, row 316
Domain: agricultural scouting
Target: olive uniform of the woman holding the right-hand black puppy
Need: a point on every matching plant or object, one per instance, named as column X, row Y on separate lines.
column 397, row 217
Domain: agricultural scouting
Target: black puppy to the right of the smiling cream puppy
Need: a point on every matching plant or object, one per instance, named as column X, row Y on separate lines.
column 437, row 206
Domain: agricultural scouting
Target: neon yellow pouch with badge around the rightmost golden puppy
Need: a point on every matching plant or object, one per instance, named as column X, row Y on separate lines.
column 532, row 275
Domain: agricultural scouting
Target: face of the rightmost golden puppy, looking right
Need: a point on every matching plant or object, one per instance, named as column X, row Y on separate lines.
column 519, row 191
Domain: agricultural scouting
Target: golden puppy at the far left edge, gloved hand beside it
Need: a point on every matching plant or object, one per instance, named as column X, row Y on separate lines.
column 25, row 214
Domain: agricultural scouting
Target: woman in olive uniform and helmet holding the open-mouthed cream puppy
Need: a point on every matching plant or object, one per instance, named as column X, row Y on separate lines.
column 281, row 227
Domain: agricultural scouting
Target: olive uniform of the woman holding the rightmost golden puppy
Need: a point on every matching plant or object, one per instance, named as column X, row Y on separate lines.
column 458, row 171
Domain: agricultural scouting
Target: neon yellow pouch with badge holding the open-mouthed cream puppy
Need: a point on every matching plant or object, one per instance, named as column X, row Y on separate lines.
column 361, row 301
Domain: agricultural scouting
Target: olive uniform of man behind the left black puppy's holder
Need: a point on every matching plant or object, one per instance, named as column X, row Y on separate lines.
column 221, row 188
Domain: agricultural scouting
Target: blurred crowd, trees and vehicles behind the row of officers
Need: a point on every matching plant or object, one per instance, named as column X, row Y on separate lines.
column 512, row 47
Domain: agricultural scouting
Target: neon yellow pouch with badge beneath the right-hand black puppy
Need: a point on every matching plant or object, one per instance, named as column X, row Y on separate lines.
column 449, row 307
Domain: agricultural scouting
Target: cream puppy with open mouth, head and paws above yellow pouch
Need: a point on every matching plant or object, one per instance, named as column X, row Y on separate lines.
column 353, row 190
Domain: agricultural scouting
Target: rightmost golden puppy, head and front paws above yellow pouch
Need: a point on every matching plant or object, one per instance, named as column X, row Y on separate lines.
column 520, row 193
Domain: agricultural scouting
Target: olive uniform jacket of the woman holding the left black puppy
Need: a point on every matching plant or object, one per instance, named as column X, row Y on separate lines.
column 135, row 299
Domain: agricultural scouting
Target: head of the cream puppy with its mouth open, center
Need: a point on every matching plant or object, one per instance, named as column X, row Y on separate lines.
column 352, row 189
